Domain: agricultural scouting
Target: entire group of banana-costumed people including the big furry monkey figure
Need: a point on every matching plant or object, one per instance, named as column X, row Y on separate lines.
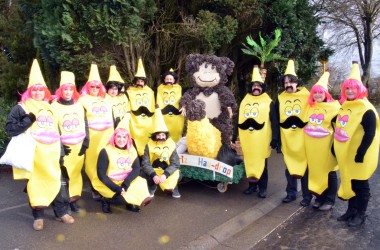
column 128, row 140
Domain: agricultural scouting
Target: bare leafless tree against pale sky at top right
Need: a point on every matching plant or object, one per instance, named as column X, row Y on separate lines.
column 353, row 24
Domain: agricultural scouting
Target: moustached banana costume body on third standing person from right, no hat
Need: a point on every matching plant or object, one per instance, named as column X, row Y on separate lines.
column 292, row 139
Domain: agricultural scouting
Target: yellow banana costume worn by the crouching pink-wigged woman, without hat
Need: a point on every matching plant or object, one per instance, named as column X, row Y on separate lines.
column 119, row 167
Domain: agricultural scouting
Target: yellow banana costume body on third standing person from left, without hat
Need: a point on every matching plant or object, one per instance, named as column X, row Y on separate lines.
column 100, row 125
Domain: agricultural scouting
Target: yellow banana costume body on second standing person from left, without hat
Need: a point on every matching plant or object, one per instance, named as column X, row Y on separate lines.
column 73, row 132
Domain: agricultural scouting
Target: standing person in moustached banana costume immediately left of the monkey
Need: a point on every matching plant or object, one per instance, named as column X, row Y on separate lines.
column 169, row 94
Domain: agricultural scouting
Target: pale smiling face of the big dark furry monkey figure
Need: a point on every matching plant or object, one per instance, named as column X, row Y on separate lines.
column 207, row 75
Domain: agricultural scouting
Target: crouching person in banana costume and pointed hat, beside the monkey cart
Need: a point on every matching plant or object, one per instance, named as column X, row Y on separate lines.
column 160, row 163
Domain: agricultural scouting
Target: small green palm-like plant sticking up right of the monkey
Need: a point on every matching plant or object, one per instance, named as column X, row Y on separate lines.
column 264, row 51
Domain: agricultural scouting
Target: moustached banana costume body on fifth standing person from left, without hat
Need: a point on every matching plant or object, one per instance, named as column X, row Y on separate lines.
column 141, row 126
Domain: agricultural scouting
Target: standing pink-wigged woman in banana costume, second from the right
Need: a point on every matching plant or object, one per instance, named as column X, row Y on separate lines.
column 322, row 164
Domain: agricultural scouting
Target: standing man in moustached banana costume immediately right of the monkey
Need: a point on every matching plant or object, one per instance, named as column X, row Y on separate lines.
column 258, row 132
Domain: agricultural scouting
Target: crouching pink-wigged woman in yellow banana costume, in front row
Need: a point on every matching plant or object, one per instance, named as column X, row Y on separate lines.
column 118, row 170
